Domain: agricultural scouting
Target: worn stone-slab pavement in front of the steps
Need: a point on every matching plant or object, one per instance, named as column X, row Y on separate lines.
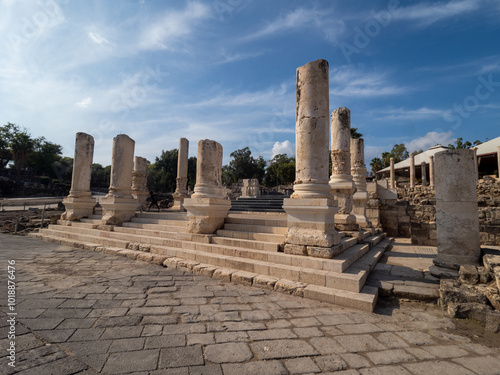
column 80, row 312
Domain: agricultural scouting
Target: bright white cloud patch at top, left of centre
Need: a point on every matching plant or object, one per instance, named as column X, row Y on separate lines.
column 165, row 33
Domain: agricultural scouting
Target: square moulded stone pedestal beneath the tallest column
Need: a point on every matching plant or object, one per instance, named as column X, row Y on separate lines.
column 311, row 222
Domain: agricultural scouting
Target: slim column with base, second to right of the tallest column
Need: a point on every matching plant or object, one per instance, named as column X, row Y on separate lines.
column 358, row 171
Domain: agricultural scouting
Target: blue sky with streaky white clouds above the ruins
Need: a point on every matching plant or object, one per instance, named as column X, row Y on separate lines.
column 413, row 72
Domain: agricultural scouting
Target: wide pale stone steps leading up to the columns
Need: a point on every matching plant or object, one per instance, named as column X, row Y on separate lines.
column 246, row 250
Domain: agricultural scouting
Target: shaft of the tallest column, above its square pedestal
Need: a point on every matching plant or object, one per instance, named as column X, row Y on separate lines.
column 311, row 130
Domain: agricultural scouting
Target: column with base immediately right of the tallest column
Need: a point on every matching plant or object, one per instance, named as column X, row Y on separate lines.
column 341, row 179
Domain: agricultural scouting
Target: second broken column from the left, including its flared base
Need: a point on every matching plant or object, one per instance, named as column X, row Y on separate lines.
column 119, row 205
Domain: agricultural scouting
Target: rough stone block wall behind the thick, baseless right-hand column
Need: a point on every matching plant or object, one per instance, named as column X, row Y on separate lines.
column 413, row 213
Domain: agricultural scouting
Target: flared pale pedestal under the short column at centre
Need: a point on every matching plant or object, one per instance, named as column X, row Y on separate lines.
column 206, row 215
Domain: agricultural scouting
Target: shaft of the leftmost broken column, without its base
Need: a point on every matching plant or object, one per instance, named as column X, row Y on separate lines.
column 82, row 166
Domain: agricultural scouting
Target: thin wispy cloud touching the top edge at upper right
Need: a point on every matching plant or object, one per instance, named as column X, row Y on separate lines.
column 428, row 13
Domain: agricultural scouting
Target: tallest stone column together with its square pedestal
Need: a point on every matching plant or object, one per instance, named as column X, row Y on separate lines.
column 311, row 208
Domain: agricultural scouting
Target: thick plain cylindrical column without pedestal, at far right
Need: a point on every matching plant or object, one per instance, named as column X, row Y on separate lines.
column 457, row 221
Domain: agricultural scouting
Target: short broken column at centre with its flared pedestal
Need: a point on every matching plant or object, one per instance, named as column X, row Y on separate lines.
column 207, row 208
